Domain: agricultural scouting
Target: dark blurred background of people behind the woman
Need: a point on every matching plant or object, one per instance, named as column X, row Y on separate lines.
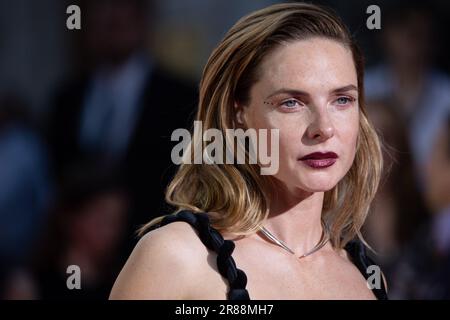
column 86, row 117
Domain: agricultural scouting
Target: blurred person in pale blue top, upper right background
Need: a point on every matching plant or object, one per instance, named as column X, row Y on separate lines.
column 408, row 76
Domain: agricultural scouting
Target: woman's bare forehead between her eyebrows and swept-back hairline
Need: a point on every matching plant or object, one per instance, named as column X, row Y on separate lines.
column 316, row 63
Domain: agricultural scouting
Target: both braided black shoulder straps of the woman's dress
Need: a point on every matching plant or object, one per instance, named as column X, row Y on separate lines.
column 237, row 279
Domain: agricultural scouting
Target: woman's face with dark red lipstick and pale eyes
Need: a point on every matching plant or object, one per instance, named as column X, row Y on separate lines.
column 308, row 90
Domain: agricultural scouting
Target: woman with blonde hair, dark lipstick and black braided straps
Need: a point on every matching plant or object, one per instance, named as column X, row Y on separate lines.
column 291, row 67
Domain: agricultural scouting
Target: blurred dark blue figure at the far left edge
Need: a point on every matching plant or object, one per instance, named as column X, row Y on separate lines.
column 25, row 186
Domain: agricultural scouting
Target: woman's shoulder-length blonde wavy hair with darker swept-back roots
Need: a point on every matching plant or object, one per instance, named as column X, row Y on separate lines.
column 235, row 196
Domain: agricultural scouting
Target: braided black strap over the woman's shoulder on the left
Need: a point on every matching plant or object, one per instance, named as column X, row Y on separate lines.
column 213, row 240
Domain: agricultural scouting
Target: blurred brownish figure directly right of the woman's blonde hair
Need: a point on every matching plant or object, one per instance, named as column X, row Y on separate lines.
column 399, row 209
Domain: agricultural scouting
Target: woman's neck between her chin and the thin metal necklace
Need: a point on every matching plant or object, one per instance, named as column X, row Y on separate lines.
column 295, row 218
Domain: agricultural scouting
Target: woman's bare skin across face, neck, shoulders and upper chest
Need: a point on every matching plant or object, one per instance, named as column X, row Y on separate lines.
column 320, row 120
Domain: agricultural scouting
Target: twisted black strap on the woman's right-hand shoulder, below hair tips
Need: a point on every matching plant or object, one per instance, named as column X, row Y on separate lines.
column 358, row 253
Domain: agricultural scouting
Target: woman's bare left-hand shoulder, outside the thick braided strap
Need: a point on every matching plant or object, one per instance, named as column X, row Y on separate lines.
column 163, row 265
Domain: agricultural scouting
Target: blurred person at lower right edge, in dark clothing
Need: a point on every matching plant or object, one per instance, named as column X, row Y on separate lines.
column 422, row 272
